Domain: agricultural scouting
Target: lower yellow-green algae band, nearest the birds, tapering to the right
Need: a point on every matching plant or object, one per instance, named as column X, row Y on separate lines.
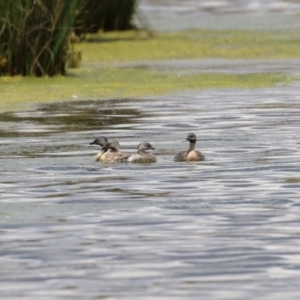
column 123, row 82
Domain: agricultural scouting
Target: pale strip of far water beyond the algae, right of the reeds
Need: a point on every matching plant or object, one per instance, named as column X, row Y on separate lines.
column 219, row 14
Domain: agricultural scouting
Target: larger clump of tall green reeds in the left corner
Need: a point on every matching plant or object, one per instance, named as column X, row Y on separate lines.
column 34, row 36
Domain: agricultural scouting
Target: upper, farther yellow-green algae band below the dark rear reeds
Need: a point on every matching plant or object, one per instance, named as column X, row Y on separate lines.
column 193, row 44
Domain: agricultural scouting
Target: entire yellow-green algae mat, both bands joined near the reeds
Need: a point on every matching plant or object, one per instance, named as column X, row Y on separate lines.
column 103, row 75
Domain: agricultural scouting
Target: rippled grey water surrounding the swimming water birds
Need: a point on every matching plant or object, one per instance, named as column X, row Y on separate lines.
column 225, row 228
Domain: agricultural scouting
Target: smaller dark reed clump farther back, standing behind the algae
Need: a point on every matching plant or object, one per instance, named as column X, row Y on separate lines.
column 106, row 15
